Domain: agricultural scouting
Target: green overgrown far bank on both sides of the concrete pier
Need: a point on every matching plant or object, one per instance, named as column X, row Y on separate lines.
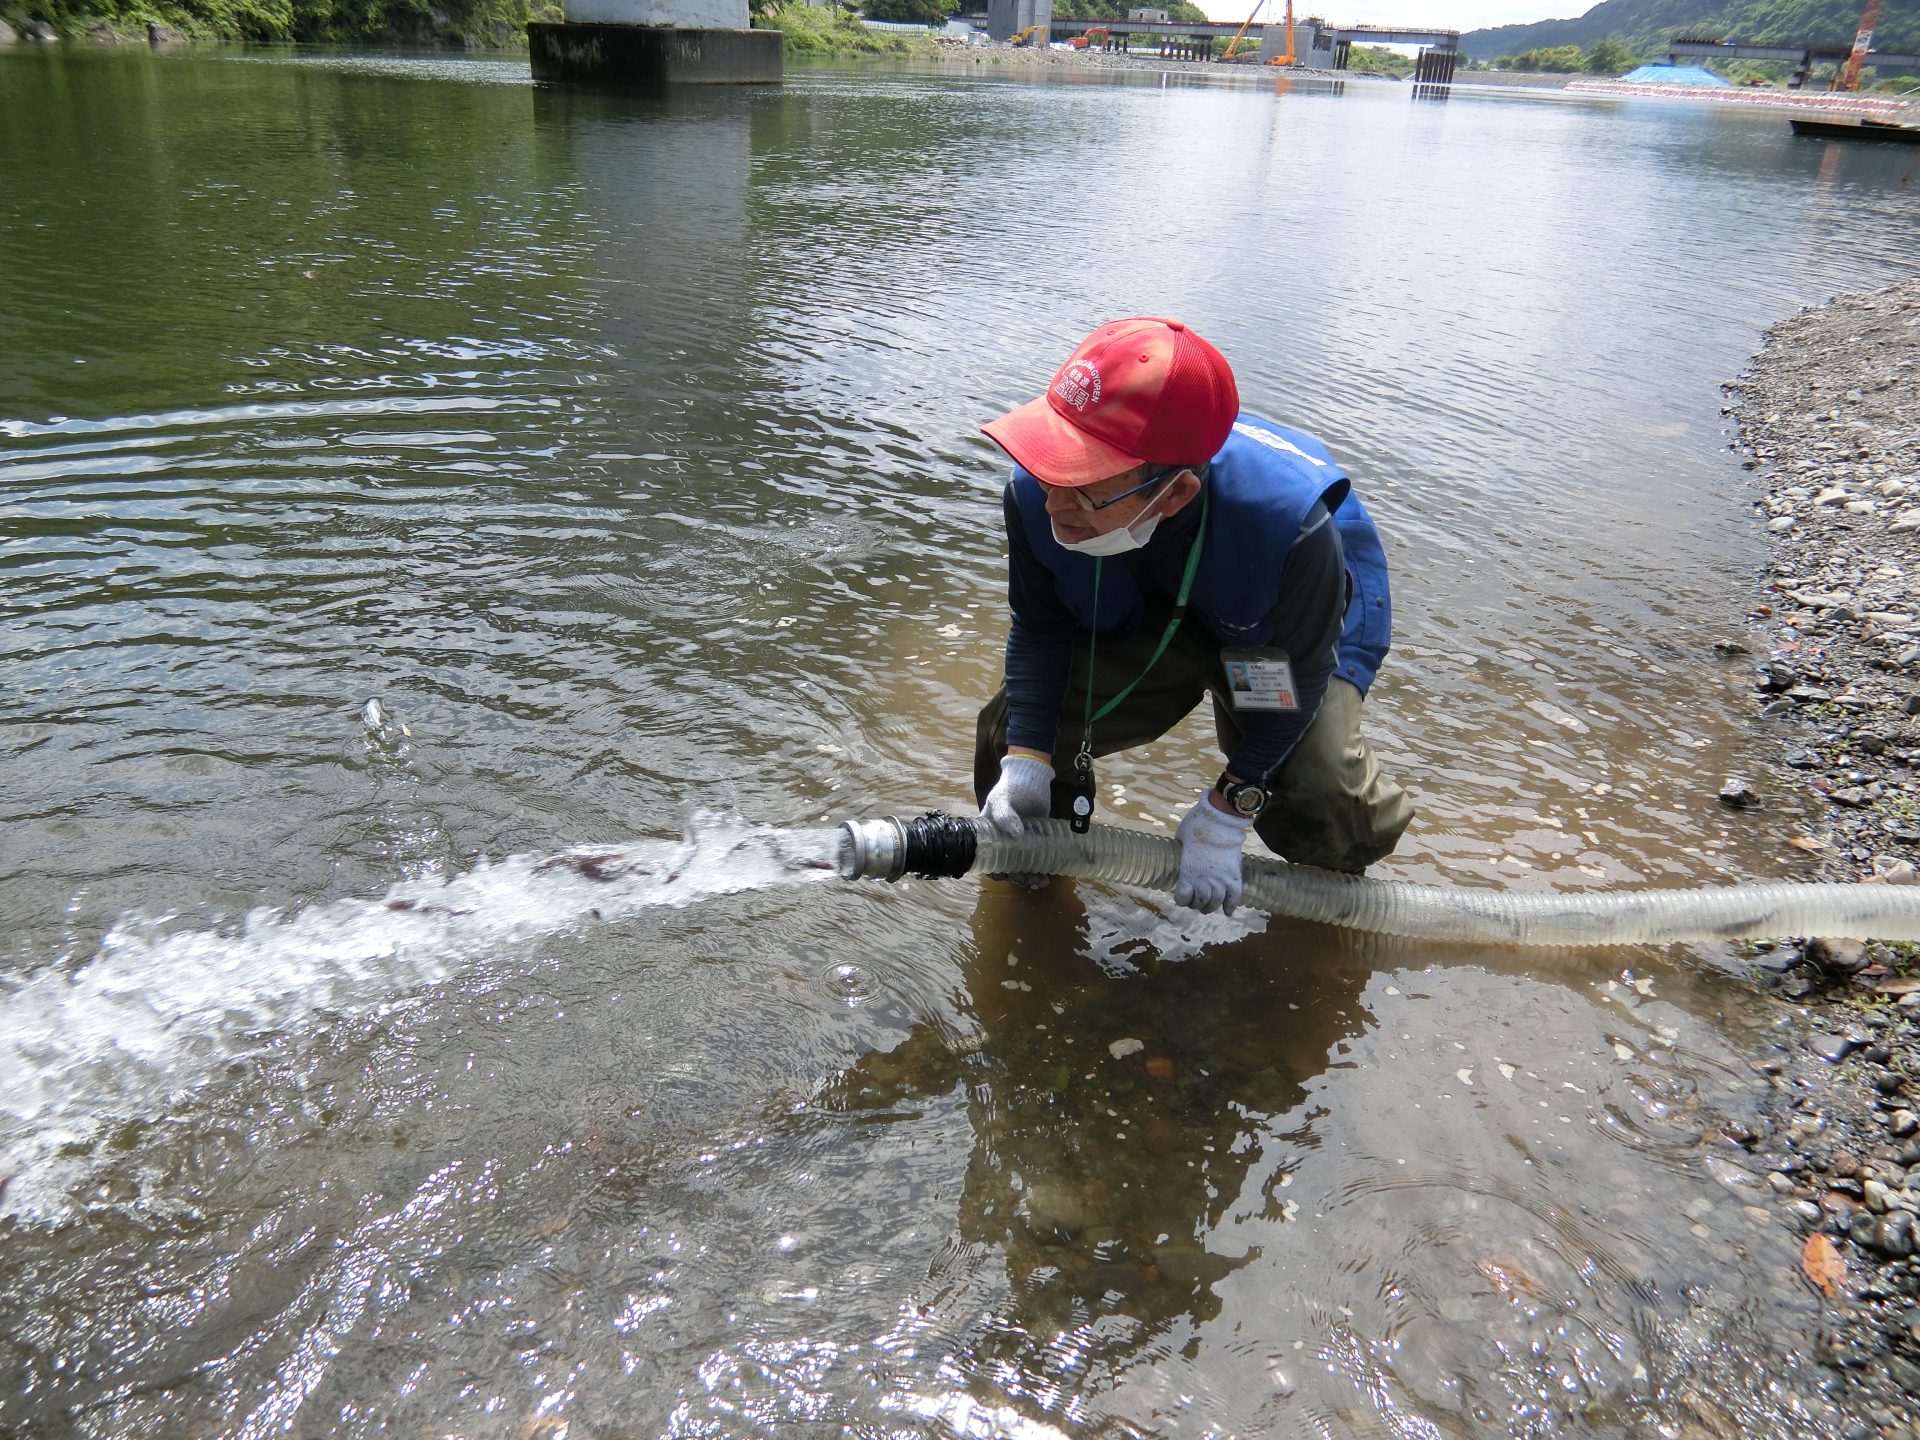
column 446, row 24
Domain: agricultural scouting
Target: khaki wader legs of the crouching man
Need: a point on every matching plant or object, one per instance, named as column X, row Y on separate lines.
column 1333, row 805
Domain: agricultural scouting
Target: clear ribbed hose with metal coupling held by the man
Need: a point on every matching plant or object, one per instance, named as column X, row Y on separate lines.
column 955, row 846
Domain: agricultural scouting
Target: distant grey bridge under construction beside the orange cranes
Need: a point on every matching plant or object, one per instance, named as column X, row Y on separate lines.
column 1316, row 43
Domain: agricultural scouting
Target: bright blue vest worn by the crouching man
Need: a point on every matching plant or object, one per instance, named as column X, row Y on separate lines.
column 1262, row 485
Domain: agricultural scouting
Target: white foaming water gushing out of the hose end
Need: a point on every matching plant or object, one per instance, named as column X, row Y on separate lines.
column 149, row 1020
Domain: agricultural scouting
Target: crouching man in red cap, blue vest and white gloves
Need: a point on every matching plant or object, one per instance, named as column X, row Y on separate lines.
column 1166, row 546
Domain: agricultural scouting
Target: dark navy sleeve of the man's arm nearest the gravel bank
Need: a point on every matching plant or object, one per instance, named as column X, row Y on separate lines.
column 1307, row 625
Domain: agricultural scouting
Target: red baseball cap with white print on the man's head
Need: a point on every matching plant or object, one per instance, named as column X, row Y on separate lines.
column 1136, row 393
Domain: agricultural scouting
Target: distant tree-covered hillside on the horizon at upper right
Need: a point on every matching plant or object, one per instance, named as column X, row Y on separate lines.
column 1644, row 26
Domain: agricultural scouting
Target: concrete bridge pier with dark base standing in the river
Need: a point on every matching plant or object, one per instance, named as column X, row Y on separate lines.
column 652, row 45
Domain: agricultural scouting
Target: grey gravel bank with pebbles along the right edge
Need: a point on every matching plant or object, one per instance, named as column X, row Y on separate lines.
column 1831, row 418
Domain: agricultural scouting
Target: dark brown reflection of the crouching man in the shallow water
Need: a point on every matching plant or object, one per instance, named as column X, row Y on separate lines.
column 1113, row 1124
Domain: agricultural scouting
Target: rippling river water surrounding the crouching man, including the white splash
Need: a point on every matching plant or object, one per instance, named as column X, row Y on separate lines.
column 627, row 452
